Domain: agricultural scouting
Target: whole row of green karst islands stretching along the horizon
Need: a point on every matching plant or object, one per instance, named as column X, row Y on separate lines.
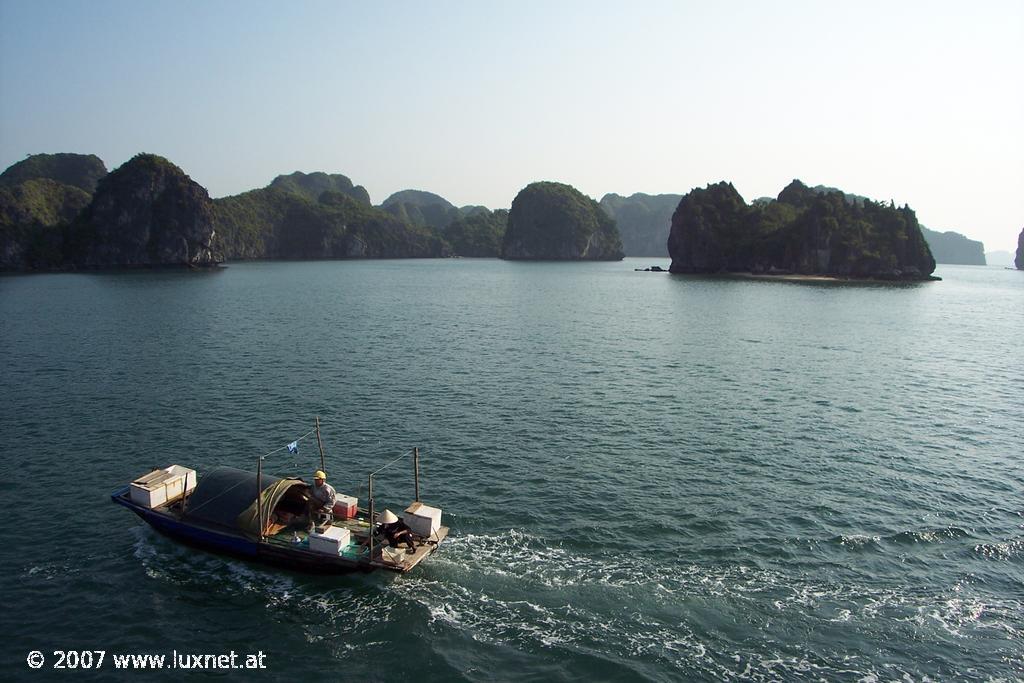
column 66, row 211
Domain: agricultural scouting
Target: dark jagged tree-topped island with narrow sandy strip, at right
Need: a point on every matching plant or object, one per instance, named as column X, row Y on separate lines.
column 803, row 232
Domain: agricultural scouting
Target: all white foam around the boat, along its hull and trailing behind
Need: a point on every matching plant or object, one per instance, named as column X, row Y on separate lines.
column 523, row 591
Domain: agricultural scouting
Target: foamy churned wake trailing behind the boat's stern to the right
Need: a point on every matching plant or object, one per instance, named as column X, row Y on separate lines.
column 520, row 590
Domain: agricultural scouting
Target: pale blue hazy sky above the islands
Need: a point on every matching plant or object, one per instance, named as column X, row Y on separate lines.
column 920, row 103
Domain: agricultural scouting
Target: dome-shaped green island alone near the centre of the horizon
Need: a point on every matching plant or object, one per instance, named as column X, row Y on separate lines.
column 556, row 222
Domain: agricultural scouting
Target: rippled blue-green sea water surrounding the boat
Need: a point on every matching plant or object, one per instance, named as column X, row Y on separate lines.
column 648, row 478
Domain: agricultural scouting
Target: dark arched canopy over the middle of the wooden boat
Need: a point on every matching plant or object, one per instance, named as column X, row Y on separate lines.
column 225, row 494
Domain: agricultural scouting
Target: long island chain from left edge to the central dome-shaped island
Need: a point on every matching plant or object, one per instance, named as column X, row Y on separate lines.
column 65, row 211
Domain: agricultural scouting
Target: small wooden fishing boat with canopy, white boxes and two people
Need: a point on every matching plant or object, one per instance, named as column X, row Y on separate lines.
column 223, row 511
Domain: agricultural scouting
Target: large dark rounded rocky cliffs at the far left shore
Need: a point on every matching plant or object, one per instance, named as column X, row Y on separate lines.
column 65, row 211
